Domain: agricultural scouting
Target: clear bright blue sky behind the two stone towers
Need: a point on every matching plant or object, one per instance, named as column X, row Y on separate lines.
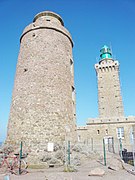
column 92, row 23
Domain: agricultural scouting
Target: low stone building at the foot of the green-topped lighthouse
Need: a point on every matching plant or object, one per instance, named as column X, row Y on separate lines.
column 98, row 128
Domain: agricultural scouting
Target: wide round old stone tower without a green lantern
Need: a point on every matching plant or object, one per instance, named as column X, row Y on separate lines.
column 43, row 101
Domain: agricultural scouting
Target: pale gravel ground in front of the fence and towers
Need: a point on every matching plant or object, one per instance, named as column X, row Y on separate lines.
column 81, row 174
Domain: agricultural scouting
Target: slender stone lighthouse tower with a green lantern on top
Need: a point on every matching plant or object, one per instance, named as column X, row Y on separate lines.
column 109, row 94
